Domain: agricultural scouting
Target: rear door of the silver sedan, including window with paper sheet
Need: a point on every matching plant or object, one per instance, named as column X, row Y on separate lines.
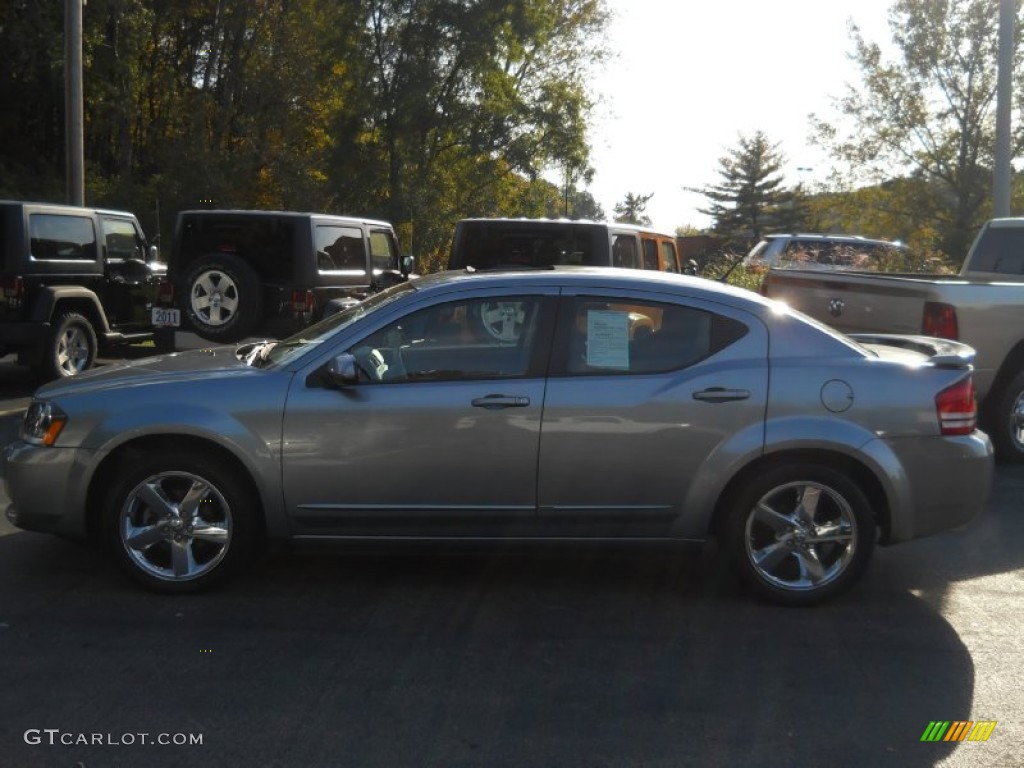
column 647, row 397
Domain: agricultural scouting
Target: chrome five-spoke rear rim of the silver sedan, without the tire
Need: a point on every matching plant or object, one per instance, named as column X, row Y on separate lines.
column 801, row 537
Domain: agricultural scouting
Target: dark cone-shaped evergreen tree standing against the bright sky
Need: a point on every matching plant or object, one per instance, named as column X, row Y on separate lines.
column 752, row 199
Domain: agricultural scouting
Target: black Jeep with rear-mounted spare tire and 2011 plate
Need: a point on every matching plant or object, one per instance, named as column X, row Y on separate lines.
column 234, row 274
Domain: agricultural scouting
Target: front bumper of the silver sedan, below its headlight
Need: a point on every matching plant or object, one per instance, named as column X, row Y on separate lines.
column 48, row 488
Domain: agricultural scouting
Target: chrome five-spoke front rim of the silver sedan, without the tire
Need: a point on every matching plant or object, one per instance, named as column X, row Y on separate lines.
column 176, row 527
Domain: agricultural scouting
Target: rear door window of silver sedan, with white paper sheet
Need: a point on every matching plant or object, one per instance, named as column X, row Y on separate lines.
column 644, row 337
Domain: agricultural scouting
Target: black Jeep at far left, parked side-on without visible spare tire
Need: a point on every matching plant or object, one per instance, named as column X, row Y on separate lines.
column 72, row 279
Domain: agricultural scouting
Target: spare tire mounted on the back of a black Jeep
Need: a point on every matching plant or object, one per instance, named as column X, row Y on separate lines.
column 223, row 297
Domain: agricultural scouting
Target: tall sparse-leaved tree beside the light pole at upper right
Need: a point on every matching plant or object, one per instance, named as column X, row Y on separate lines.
column 927, row 114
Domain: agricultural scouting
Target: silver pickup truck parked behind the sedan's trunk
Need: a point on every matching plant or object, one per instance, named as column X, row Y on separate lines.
column 984, row 307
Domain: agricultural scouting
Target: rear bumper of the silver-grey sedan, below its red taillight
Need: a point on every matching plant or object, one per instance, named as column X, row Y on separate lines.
column 945, row 484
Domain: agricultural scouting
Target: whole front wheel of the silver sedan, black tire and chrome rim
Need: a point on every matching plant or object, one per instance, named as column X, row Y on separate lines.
column 181, row 523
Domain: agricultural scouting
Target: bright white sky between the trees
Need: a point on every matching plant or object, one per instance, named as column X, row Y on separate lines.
column 692, row 75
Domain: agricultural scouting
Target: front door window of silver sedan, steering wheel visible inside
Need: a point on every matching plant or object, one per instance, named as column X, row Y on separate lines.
column 492, row 338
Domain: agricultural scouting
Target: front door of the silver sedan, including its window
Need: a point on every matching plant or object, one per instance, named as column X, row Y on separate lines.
column 440, row 435
